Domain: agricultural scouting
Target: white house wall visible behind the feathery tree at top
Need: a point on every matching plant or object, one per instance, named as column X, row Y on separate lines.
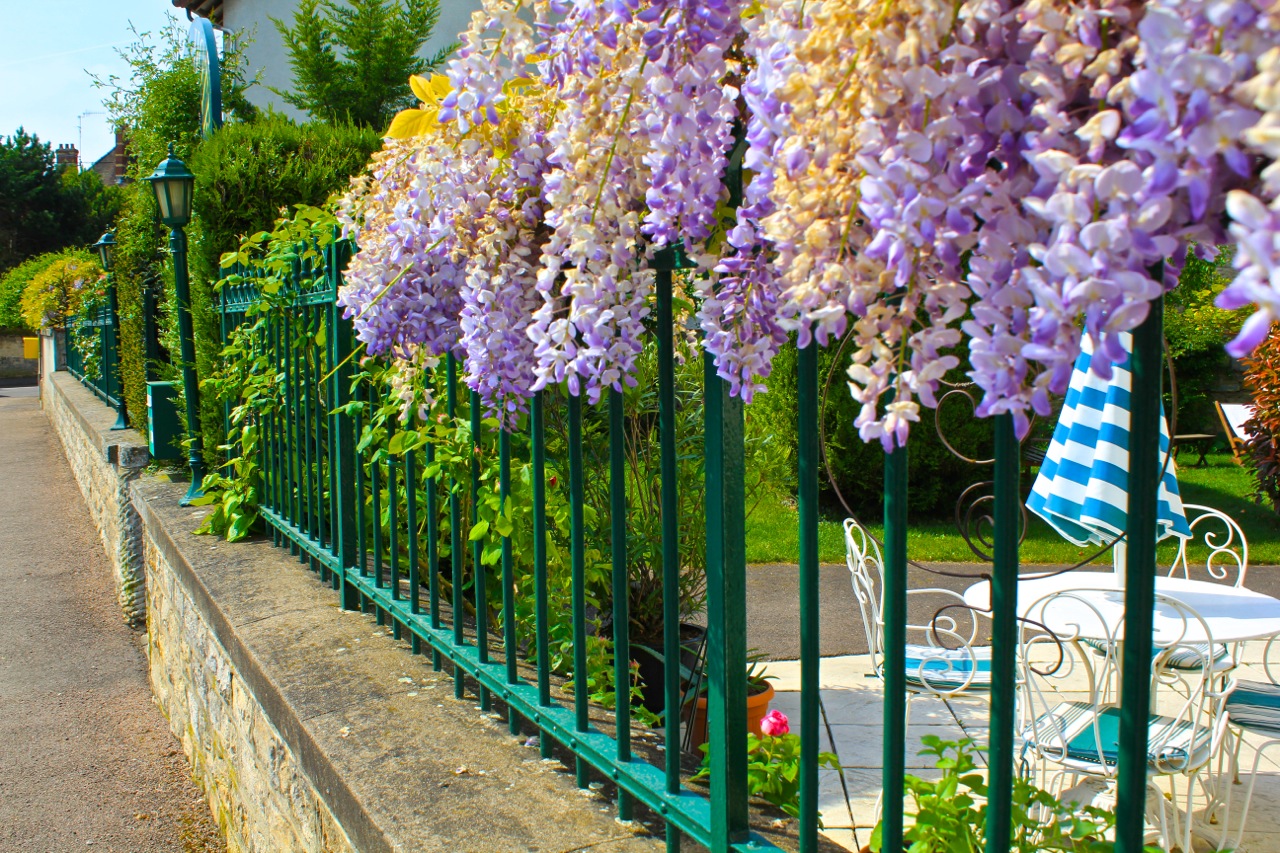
column 271, row 61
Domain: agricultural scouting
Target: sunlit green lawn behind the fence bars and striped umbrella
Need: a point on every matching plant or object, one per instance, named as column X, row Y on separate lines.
column 772, row 531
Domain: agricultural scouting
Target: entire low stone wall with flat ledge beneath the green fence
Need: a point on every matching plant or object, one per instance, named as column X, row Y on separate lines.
column 312, row 729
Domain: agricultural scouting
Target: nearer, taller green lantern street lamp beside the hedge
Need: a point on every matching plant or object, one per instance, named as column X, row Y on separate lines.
column 172, row 184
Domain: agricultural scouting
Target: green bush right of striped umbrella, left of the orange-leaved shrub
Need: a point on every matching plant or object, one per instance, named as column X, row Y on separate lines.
column 1197, row 332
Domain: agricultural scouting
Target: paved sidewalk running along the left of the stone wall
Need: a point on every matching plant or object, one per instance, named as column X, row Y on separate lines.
column 86, row 760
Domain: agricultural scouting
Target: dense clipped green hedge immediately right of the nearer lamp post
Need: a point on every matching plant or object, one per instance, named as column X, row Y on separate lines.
column 246, row 176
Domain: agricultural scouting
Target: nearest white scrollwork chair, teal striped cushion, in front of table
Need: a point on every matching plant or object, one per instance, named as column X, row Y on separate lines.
column 1073, row 731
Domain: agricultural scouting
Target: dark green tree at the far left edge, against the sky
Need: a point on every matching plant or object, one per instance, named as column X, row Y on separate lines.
column 44, row 209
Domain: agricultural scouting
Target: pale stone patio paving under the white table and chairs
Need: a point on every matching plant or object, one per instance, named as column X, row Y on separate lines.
column 852, row 709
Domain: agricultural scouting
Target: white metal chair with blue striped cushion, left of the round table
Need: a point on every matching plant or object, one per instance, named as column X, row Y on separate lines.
column 945, row 660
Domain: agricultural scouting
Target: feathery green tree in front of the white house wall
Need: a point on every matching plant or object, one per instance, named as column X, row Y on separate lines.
column 353, row 65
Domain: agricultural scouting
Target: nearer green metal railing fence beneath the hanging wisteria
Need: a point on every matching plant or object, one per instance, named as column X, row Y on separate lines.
column 373, row 522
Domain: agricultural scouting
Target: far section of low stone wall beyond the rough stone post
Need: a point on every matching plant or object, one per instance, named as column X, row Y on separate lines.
column 104, row 463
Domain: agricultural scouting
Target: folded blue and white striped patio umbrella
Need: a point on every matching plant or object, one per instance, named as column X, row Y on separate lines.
column 1084, row 485
